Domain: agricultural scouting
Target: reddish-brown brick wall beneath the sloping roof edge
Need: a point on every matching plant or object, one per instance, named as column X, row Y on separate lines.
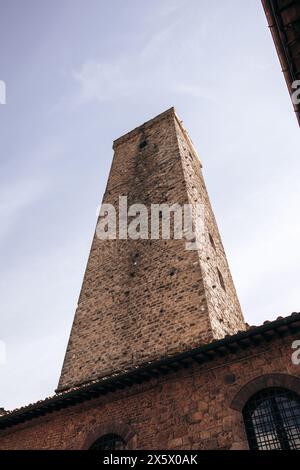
column 190, row 409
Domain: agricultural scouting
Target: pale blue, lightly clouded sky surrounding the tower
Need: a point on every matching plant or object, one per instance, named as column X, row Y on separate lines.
column 80, row 74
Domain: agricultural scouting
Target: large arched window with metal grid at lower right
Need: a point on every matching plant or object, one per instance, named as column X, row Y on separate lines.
column 272, row 419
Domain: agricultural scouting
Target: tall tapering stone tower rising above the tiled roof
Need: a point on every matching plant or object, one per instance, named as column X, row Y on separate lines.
column 144, row 299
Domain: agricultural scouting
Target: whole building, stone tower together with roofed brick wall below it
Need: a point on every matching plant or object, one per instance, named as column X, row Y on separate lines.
column 159, row 355
